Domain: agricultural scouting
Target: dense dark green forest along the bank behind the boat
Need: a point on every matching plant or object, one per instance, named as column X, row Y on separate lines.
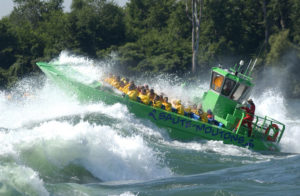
column 153, row 35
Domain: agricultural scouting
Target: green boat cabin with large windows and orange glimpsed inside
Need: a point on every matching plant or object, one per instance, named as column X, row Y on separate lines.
column 228, row 88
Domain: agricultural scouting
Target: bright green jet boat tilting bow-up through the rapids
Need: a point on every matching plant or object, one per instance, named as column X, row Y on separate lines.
column 228, row 90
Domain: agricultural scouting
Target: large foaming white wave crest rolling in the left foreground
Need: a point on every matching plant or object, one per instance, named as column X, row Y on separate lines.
column 99, row 149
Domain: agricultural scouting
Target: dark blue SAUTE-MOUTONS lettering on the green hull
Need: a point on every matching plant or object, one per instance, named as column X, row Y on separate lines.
column 206, row 129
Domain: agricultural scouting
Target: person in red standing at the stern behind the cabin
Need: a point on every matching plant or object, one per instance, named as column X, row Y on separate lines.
column 250, row 110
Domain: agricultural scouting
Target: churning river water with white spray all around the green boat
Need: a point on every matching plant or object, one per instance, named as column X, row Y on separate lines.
column 50, row 144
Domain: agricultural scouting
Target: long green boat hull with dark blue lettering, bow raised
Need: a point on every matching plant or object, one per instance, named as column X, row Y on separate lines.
column 179, row 127
